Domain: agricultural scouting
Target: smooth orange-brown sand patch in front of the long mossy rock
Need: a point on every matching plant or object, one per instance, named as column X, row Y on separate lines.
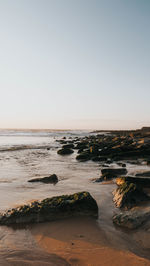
column 81, row 242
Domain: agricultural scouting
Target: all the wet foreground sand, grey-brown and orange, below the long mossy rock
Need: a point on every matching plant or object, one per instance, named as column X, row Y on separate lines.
column 75, row 241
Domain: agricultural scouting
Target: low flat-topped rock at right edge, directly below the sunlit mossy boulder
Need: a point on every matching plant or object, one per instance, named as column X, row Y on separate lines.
column 131, row 219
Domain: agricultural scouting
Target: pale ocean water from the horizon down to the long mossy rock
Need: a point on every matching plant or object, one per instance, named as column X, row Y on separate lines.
column 24, row 155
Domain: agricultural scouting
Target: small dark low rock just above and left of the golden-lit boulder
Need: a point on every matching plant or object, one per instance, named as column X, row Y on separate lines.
column 109, row 173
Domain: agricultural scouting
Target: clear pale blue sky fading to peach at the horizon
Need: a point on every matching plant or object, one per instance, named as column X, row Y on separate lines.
column 74, row 64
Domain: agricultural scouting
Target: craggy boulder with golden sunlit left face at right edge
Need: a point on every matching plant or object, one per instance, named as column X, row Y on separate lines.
column 128, row 194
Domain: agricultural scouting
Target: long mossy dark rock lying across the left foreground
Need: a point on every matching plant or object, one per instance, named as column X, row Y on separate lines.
column 50, row 209
